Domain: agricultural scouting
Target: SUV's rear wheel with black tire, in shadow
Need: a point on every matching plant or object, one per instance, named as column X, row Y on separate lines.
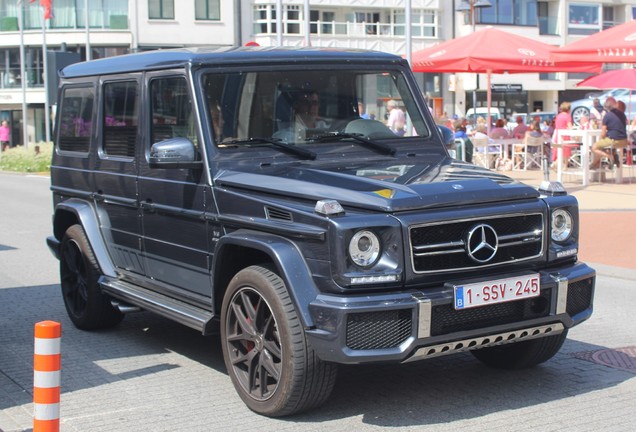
column 86, row 305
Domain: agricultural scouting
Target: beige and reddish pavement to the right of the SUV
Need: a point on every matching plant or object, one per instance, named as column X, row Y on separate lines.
column 607, row 215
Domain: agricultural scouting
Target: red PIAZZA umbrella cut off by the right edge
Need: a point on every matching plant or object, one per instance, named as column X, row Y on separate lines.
column 614, row 45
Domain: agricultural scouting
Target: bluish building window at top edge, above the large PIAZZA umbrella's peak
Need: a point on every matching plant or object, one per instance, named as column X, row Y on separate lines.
column 515, row 12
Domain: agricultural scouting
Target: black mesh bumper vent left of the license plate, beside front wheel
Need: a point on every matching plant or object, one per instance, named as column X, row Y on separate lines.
column 378, row 330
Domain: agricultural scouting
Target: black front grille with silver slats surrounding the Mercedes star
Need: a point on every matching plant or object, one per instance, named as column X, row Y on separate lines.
column 443, row 246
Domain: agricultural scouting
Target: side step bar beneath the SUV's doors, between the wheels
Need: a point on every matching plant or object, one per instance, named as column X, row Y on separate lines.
column 183, row 313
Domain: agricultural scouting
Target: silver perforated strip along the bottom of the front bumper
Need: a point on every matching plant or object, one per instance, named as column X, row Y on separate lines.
column 486, row 341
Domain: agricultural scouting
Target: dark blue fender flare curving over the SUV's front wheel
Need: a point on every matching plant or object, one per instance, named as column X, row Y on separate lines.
column 289, row 262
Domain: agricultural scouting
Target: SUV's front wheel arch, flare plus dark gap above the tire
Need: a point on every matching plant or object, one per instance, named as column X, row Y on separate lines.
column 243, row 248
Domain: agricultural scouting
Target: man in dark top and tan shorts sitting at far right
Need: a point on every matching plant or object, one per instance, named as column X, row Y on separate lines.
column 613, row 133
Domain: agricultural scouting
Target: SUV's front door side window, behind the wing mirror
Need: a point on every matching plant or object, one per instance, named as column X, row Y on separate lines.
column 172, row 112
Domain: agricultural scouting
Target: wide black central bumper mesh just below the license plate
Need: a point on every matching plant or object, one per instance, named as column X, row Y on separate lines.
column 446, row 319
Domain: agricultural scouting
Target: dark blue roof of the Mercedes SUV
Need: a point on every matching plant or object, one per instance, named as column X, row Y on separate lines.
column 210, row 56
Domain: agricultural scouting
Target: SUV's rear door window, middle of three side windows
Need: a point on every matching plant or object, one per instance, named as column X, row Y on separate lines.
column 121, row 118
